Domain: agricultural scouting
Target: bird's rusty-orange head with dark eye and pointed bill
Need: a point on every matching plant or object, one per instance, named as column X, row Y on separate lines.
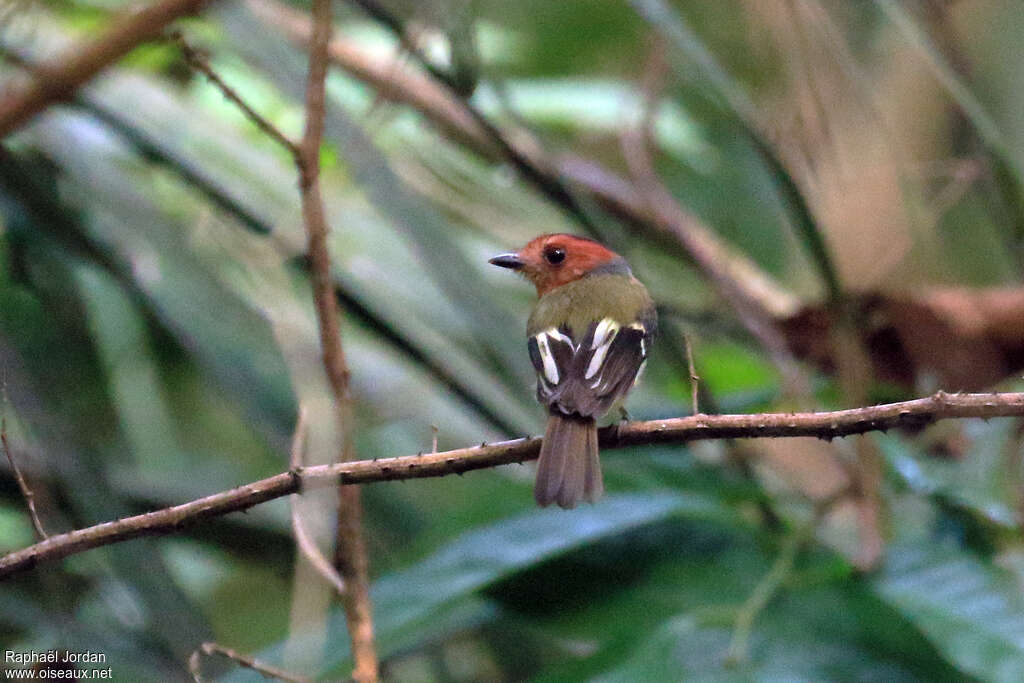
column 552, row 261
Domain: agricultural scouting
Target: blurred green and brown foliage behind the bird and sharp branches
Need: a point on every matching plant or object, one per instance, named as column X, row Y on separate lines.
column 825, row 197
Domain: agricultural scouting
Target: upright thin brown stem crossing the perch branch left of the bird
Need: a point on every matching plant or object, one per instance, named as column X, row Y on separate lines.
column 351, row 556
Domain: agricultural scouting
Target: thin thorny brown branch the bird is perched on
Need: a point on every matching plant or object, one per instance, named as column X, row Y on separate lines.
column 830, row 425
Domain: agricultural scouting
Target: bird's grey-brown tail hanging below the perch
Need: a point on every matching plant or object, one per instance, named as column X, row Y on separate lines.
column 569, row 469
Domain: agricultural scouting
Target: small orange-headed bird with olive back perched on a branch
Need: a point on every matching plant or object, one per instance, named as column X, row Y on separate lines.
column 589, row 336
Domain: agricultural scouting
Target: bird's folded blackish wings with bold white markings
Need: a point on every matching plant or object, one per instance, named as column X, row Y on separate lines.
column 587, row 376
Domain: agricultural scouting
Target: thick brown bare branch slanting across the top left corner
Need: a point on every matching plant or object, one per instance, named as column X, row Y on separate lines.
column 59, row 78
